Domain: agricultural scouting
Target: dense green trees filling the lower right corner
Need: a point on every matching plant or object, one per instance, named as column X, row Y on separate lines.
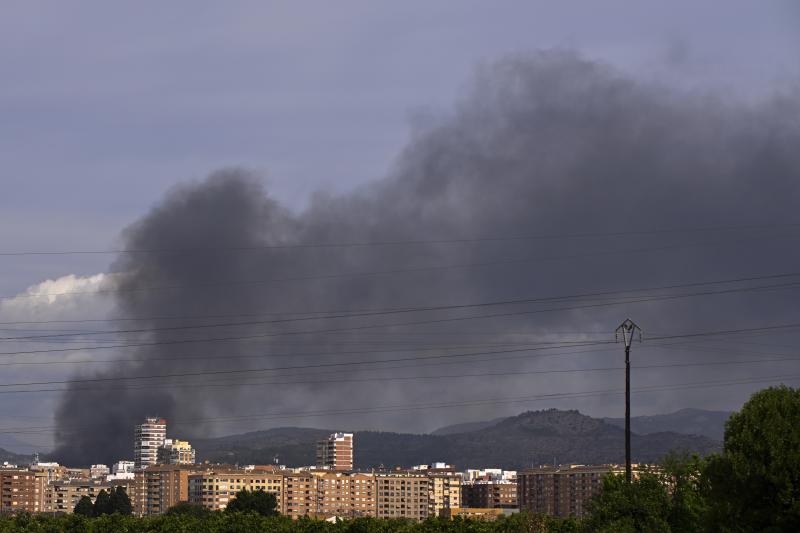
column 753, row 485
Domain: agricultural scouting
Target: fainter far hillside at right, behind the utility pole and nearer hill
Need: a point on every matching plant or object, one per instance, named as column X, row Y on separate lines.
column 710, row 424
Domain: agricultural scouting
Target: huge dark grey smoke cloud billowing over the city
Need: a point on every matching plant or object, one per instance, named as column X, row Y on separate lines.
column 543, row 144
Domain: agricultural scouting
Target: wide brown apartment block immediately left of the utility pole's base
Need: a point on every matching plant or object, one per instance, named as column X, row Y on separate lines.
column 563, row 490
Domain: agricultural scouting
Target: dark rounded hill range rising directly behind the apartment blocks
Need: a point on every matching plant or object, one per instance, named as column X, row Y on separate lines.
column 534, row 437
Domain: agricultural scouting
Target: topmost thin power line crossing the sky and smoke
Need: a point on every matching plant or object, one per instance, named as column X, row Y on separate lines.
column 357, row 244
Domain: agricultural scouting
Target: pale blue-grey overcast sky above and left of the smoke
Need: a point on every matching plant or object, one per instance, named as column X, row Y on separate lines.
column 105, row 107
